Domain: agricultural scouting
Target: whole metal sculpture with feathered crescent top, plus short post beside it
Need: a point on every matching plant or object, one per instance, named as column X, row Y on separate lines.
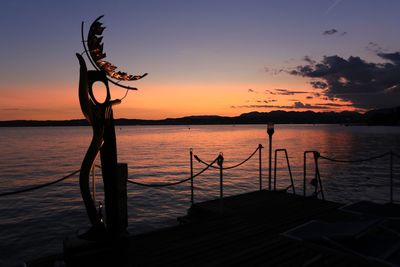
column 100, row 117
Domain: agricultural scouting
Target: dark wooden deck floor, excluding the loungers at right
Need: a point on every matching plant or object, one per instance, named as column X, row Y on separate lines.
column 244, row 230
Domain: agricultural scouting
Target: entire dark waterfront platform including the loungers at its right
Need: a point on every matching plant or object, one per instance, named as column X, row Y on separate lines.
column 262, row 228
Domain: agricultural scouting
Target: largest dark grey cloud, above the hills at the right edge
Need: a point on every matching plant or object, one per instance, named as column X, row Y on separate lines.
column 367, row 85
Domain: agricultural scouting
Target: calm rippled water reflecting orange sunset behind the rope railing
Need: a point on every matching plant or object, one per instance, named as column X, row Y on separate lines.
column 34, row 224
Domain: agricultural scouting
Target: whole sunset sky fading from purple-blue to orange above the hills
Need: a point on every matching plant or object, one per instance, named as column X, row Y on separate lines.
column 204, row 57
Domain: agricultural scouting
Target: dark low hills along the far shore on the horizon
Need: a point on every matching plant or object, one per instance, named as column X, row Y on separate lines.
column 373, row 117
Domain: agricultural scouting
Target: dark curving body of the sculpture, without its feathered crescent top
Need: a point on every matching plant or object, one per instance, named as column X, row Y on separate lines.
column 100, row 116
